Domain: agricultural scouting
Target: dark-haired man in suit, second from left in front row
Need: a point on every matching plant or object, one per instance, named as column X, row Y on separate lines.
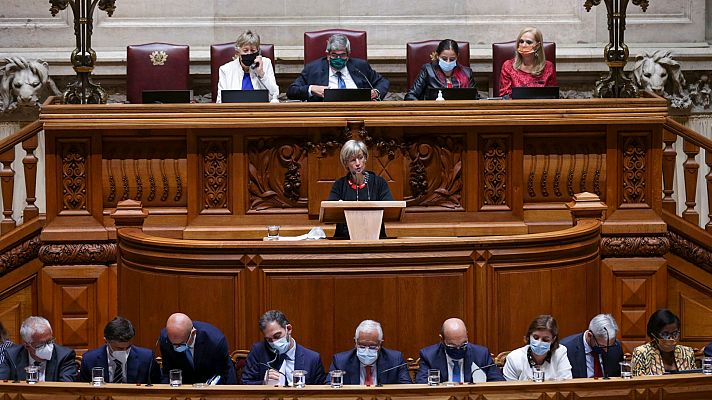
column 122, row 361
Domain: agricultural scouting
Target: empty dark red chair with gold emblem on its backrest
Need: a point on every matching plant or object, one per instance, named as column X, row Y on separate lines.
column 146, row 70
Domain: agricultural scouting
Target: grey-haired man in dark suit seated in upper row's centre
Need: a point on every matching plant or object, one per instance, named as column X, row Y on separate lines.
column 337, row 71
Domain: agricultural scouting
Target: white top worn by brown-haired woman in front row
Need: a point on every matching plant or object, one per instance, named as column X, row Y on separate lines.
column 517, row 367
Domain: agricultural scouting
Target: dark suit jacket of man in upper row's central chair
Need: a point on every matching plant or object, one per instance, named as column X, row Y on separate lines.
column 317, row 73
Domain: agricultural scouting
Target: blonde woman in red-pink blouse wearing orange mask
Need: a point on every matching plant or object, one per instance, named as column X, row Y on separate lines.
column 529, row 67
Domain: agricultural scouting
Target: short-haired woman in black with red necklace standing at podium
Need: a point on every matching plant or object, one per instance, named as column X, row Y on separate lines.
column 358, row 184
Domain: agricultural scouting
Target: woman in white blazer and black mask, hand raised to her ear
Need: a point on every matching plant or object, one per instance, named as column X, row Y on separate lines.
column 249, row 61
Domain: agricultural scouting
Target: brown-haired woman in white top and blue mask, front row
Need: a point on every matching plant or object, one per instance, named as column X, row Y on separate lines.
column 542, row 349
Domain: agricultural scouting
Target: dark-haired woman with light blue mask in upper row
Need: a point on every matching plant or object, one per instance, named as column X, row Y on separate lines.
column 442, row 72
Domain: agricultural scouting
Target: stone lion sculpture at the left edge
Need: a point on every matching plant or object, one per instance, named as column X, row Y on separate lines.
column 24, row 83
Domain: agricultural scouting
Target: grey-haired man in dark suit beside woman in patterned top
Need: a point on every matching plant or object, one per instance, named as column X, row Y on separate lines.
column 595, row 352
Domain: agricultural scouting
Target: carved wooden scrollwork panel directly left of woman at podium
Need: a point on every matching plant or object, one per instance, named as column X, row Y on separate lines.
column 277, row 173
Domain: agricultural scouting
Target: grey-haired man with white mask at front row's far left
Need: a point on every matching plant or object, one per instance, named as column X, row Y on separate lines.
column 56, row 363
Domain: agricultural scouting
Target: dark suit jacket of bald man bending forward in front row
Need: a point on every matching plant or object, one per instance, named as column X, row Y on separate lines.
column 211, row 357
